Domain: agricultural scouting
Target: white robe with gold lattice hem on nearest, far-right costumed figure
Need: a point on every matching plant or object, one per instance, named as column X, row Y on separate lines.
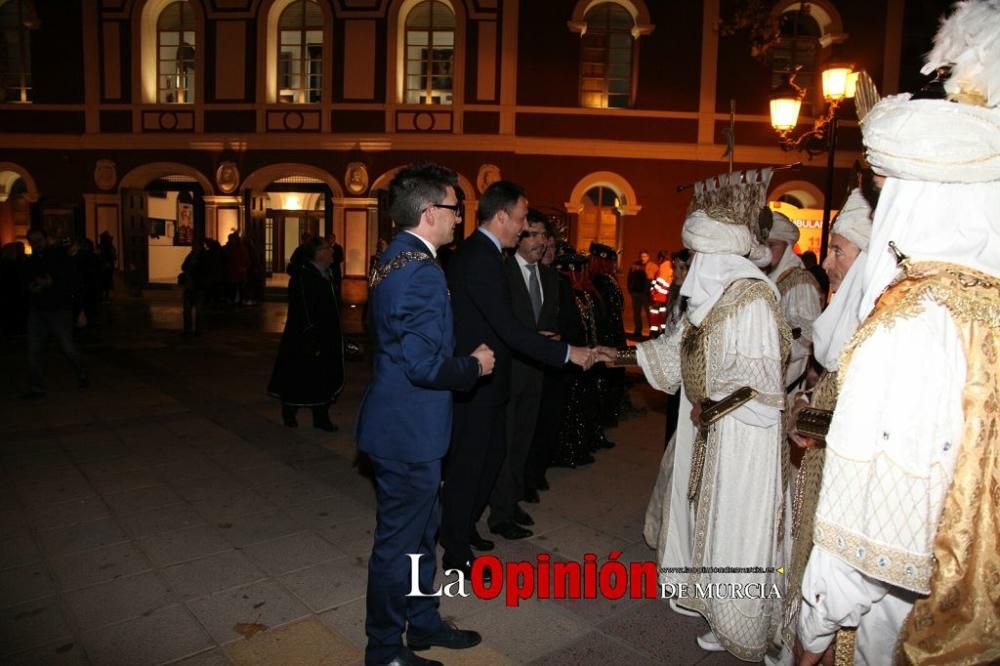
column 897, row 455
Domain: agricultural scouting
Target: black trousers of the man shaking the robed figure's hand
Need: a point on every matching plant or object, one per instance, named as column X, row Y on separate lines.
column 477, row 451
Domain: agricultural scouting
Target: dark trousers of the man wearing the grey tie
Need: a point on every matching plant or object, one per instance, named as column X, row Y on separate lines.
column 521, row 416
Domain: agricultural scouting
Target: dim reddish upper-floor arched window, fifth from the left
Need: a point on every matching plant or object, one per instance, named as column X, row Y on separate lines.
column 606, row 57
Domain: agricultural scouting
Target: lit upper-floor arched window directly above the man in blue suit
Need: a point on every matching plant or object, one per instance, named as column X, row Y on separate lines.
column 430, row 53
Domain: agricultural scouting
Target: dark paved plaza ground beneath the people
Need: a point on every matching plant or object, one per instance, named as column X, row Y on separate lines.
column 165, row 516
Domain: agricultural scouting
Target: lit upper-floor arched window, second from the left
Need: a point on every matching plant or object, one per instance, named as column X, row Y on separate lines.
column 175, row 52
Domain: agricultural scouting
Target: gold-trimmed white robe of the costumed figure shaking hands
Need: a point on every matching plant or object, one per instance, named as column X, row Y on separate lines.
column 741, row 513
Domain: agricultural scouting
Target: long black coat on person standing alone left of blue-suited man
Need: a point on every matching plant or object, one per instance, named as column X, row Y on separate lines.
column 309, row 369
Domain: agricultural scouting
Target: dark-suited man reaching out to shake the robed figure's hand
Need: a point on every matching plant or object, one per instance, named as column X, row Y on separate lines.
column 480, row 296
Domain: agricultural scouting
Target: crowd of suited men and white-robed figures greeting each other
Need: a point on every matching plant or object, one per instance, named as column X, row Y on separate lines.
column 876, row 547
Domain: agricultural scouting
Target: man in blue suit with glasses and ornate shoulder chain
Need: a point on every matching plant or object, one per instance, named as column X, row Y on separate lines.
column 404, row 424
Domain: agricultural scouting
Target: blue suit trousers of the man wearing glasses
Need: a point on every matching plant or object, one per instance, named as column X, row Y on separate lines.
column 407, row 515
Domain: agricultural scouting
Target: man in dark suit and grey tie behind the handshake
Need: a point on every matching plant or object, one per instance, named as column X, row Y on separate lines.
column 534, row 291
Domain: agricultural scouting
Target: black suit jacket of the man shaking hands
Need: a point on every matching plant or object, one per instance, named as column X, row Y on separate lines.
column 481, row 300
